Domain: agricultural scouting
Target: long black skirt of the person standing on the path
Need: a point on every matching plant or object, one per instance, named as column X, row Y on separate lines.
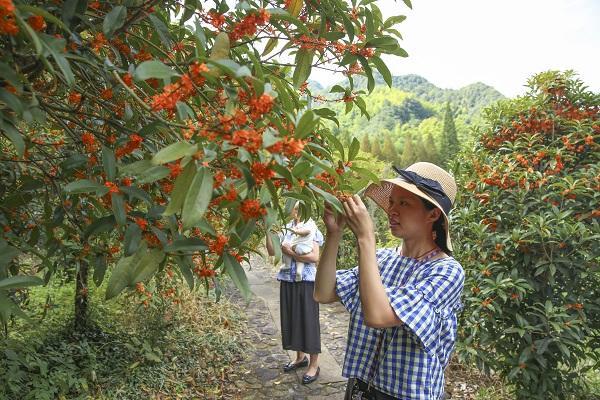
column 300, row 330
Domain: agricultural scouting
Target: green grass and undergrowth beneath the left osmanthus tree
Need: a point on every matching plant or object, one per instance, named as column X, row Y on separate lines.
column 127, row 352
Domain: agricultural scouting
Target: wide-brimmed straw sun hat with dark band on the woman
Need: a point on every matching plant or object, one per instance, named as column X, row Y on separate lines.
column 423, row 179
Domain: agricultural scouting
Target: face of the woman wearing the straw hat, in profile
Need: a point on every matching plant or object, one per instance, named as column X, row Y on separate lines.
column 408, row 216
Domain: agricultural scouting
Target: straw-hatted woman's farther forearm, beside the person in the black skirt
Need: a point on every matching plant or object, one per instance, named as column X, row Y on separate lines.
column 325, row 280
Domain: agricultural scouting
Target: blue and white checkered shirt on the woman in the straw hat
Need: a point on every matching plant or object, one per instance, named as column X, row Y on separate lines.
column 413, row 355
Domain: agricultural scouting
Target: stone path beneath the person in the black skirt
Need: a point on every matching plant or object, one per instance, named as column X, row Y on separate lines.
column 260, row 375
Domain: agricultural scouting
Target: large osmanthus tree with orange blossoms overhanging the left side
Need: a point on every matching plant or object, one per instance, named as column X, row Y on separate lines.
column 155, row 139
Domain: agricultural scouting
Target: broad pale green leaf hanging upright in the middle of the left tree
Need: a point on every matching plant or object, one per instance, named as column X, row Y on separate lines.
column 197, row 198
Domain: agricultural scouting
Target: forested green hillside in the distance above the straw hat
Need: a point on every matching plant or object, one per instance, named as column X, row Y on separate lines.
column 412, row 120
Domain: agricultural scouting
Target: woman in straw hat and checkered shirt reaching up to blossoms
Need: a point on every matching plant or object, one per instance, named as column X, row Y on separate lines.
column 402, row 301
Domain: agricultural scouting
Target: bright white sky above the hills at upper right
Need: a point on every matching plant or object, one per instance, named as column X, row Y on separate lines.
column 453, row 43
